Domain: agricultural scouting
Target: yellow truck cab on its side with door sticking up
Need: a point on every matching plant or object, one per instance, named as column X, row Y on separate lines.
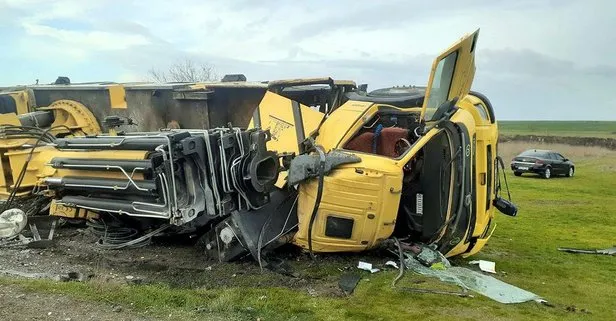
column 421, row 166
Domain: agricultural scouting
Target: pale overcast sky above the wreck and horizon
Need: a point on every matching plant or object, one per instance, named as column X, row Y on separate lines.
column 535, row 59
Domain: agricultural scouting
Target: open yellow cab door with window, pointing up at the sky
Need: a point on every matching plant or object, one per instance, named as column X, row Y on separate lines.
column 451, row 76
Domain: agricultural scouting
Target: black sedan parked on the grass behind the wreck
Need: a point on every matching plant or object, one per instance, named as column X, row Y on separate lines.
column 546, row 163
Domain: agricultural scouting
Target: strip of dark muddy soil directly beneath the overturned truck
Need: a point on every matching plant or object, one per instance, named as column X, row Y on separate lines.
column 177, row 265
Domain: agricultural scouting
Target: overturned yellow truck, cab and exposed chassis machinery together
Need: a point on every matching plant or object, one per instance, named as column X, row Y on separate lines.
column 345, row 175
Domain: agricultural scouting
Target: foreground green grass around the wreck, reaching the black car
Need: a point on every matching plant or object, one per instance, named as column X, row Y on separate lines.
column 571, row 212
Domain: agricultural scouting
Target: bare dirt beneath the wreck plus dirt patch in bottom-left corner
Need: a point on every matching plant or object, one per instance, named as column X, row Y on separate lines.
column 75, row 258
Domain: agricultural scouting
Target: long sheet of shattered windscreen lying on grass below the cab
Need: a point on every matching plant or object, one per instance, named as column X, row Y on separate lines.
column 468, row 279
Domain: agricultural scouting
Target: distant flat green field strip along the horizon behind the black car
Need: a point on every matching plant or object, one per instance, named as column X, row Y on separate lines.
column 559, row 128
